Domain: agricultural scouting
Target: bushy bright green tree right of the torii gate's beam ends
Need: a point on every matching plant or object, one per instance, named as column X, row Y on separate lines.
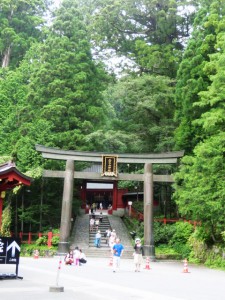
column 200, row 186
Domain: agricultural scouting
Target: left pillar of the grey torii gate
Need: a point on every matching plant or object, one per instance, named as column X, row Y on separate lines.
column 66, row 208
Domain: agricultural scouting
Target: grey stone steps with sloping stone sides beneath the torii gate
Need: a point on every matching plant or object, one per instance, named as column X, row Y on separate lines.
column 84, row 239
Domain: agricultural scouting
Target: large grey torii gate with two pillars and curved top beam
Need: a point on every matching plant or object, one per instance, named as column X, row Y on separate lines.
column 148, row 177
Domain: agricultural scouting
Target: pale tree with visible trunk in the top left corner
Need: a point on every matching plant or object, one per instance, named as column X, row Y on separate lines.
column 20, row 23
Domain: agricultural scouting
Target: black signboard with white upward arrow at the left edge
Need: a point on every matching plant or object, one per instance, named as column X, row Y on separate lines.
column 9, row 250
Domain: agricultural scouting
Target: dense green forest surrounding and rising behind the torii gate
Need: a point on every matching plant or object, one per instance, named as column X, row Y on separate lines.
column 115, row 76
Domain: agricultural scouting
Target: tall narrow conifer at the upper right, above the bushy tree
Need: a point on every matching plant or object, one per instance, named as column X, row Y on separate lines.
column 195, row 75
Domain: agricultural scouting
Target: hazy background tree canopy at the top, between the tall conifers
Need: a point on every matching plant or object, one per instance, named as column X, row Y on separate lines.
column 149, row 33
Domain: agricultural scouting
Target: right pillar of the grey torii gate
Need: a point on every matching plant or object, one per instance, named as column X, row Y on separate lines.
column 149, row 248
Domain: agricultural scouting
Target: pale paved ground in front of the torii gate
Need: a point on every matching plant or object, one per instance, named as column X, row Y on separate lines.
column 96, row 281
